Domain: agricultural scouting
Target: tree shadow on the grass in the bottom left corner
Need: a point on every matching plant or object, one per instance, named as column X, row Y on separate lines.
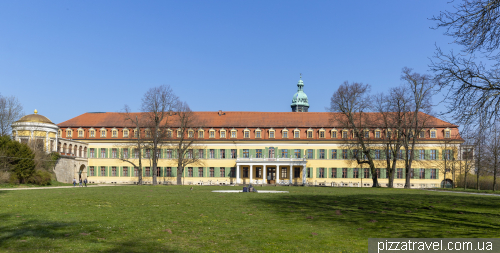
column 29, row 234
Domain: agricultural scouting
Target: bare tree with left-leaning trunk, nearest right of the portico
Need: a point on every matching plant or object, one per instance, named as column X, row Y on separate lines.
column 350, row 105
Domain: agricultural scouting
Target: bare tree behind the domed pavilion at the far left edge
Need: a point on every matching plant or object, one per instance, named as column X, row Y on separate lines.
column 10, row 111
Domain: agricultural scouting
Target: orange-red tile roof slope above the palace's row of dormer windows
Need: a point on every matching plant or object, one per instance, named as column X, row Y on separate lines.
column 234, row 119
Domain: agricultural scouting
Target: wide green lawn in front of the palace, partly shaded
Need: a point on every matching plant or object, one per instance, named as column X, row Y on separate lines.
column 173, row 218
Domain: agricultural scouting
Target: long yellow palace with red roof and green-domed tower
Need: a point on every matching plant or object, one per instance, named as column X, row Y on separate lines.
column 297, row 147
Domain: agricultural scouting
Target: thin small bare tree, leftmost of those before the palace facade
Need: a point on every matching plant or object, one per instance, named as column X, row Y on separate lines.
column 134, row 156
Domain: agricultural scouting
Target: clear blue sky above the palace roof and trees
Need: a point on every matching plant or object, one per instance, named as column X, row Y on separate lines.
column 66, row 58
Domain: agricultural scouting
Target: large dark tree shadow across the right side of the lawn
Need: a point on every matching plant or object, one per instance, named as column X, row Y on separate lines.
column 394, row 214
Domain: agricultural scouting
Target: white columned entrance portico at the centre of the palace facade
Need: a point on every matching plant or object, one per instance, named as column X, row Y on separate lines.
column 270, row 170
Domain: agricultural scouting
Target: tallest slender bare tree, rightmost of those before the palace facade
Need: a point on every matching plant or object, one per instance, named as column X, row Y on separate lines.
column 415, row 119
